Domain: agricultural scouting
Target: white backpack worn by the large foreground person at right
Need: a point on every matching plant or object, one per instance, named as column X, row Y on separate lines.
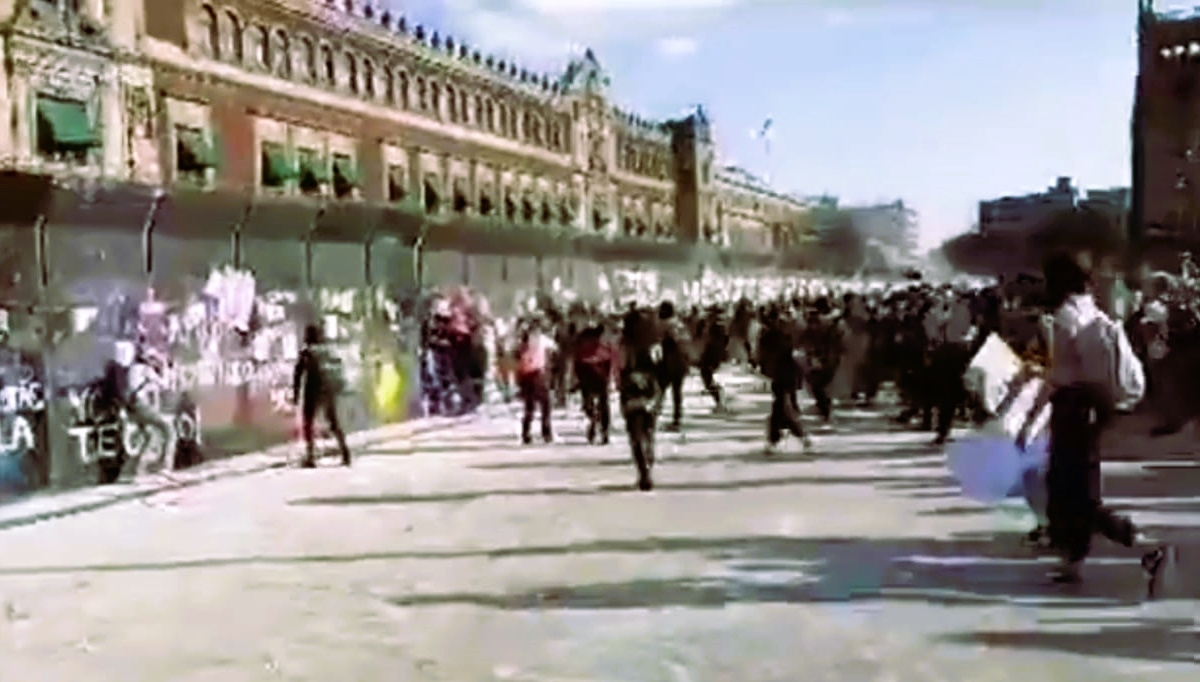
column 1121, row 376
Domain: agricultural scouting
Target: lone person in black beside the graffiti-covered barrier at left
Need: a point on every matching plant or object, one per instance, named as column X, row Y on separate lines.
column 315, row 387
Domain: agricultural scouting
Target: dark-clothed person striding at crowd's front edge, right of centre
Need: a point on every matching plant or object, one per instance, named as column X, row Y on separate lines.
column 779, row 361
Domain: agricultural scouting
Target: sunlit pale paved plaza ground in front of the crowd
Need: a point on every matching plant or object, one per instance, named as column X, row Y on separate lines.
column 459, row 555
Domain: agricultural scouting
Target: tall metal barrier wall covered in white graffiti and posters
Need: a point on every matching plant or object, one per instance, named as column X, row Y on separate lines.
column 140, row 262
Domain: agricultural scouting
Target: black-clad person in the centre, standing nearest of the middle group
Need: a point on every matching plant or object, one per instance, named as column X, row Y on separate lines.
column 640, row 392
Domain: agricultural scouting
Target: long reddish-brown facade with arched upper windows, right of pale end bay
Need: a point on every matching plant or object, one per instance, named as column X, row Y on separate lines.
column 340, row 99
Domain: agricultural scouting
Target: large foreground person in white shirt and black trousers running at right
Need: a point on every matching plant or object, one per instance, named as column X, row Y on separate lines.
column 1090, row 373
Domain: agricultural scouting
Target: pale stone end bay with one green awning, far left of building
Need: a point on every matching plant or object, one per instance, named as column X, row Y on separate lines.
column 80, row 95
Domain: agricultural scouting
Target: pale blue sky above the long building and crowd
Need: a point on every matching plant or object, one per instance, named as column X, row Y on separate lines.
column 937, row 103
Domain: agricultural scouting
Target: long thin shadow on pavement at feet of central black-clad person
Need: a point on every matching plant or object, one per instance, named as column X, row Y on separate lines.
column 885, row 483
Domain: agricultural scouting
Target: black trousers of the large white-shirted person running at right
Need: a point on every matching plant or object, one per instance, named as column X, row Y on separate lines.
column 1075, row 507
